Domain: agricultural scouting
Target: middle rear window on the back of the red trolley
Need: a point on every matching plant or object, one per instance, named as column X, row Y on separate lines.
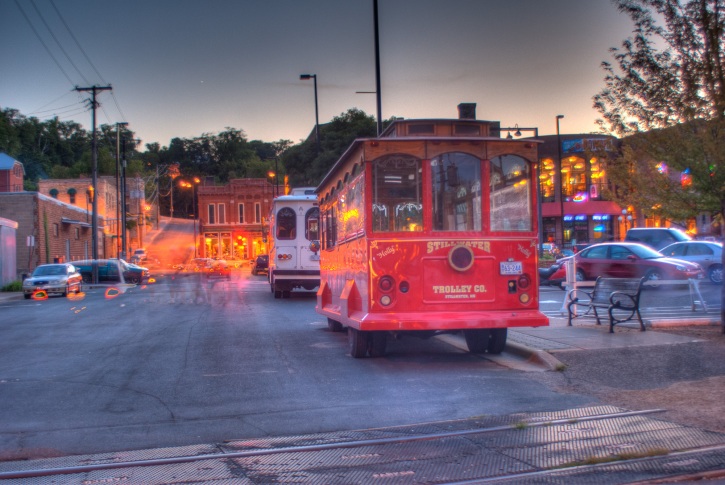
column 456, row 180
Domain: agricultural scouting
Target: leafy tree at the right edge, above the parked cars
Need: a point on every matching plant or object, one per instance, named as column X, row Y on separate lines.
column 667, row 97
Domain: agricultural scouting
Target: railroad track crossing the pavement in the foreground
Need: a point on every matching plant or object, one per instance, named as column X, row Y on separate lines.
column 599, row 444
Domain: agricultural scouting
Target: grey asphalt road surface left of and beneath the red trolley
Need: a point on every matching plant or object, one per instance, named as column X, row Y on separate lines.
column 177, row 362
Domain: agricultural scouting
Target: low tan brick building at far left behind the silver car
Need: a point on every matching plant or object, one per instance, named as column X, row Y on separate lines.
column 55, row 230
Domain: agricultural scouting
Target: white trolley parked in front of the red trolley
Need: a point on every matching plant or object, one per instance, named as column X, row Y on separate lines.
column 294, row 243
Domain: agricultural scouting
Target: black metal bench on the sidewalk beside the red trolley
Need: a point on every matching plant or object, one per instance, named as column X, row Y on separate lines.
column 620, row 296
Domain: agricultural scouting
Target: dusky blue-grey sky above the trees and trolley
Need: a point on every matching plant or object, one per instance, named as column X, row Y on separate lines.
column 183, row 68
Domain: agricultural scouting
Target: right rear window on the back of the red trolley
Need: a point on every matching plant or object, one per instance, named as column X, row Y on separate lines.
column 510, row 194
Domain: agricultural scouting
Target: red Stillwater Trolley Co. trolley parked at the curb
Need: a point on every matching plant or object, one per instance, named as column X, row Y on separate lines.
column 430, row 228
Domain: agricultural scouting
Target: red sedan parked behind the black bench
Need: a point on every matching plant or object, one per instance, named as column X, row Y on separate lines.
column 632, row 260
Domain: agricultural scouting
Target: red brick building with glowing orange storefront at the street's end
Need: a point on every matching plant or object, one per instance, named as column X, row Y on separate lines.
column 233, row 219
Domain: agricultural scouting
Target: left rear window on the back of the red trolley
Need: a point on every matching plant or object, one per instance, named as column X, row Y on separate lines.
column 397, row 194
